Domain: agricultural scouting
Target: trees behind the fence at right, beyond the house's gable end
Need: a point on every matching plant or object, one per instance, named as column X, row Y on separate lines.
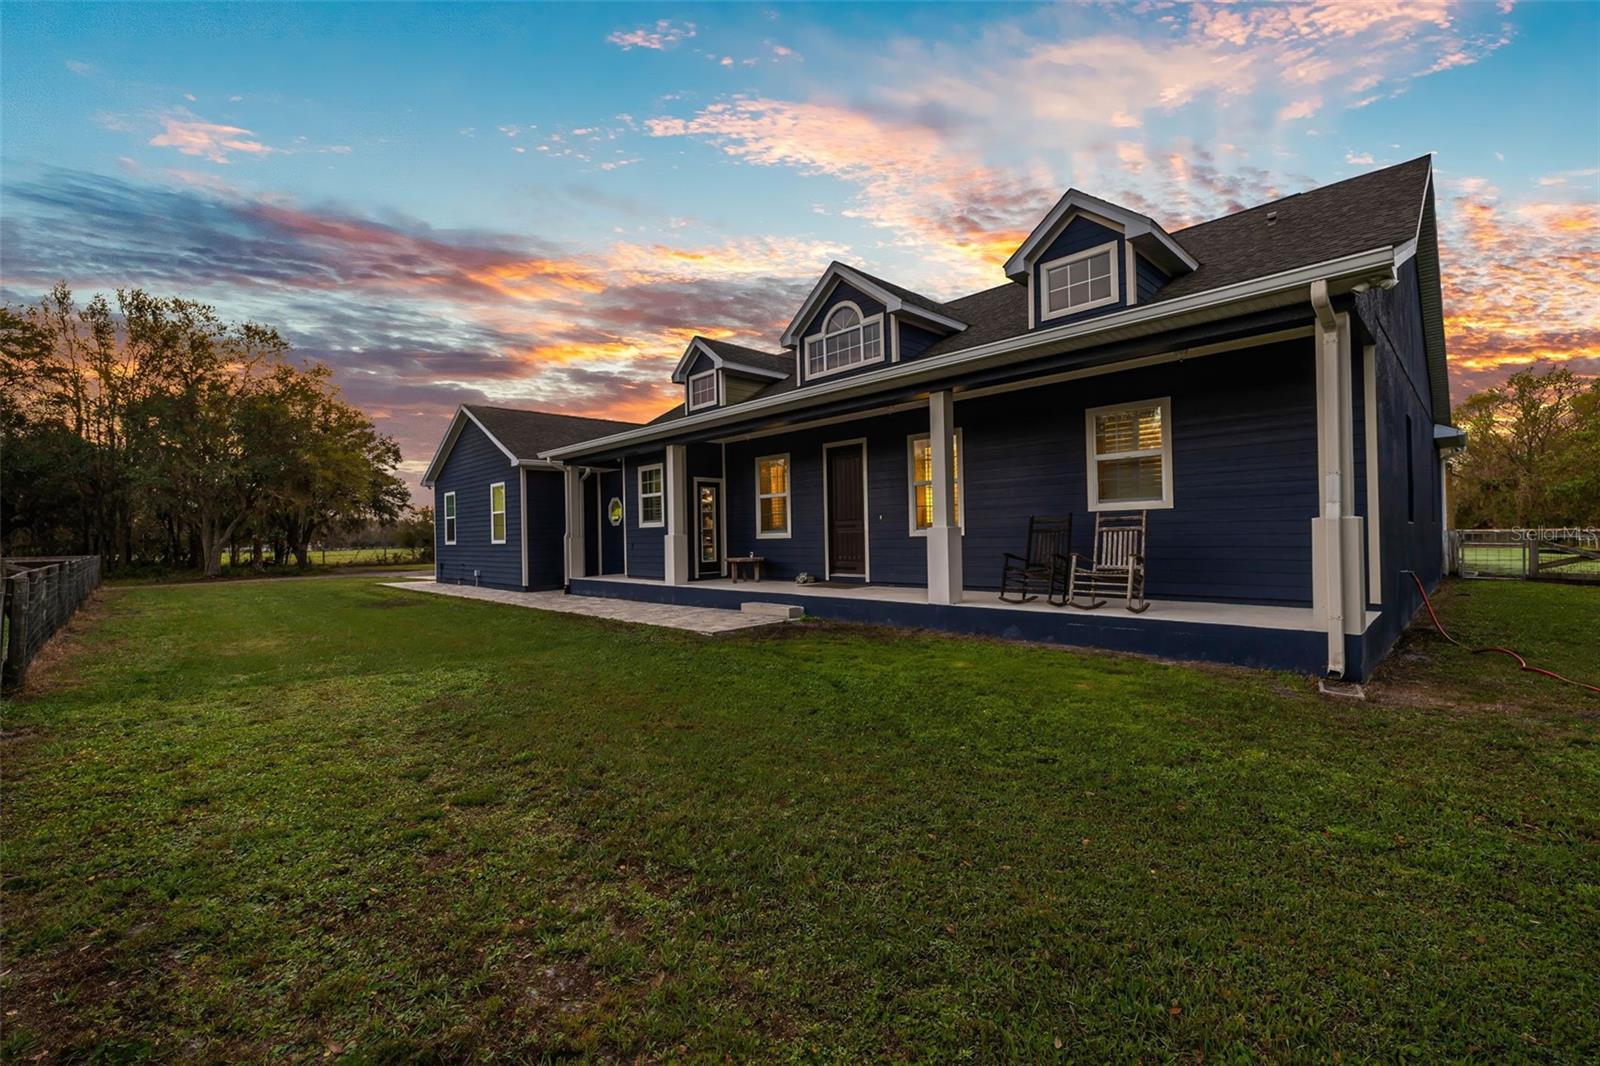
column 1534, row 454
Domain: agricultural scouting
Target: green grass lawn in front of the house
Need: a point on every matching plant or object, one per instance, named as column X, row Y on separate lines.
column 324, row 819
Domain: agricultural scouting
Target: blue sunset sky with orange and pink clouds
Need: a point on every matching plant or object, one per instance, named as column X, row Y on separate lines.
column 540, row 206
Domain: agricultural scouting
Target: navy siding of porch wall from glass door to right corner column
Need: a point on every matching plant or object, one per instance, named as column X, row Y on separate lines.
column 1244, row 479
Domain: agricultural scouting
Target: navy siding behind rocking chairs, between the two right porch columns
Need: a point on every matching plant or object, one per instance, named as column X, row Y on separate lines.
column 1244, row 473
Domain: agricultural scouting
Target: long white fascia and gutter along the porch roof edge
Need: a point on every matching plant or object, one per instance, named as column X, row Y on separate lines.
column 1354, row 268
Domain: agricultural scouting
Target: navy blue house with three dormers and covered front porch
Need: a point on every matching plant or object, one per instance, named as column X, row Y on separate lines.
column 1284, row 371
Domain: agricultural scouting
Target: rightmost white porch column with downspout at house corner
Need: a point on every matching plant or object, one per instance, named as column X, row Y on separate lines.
column 1337, row 534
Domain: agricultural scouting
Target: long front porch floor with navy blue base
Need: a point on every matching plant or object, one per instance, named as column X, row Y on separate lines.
column 1242, row 635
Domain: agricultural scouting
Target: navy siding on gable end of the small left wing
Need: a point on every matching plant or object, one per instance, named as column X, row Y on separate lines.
column 473, row 467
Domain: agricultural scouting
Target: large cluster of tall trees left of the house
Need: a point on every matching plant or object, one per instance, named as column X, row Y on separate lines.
column 153, row 433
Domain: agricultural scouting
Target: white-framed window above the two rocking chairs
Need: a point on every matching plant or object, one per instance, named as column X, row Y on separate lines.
column 1130, row 452
